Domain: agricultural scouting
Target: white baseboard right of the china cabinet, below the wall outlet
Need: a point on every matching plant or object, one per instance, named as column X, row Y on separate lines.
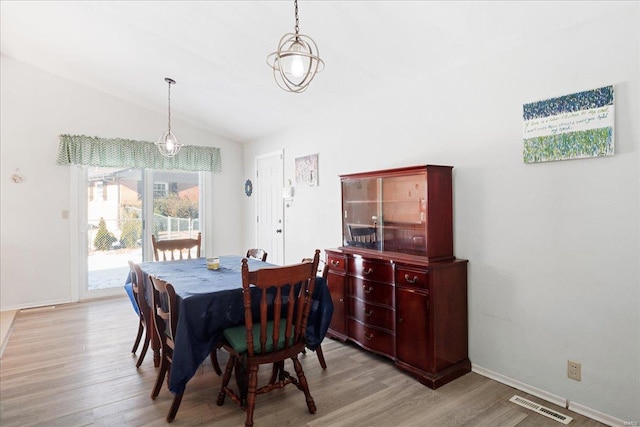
column 550, row 397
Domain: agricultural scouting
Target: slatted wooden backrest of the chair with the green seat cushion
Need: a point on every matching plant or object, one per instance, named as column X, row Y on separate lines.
column 283, row 295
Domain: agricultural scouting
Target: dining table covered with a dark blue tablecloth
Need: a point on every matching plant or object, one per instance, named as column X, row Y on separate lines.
column 209, row 301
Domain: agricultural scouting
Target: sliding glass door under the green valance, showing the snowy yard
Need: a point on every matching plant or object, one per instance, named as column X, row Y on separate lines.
column 118, row 205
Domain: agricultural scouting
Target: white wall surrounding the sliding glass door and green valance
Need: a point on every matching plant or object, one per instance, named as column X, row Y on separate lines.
column 35, row 108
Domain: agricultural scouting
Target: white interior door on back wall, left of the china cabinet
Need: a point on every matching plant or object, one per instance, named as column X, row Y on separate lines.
column 269, row 206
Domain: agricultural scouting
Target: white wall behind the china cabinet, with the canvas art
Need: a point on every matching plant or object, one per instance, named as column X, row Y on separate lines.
column 553, row 248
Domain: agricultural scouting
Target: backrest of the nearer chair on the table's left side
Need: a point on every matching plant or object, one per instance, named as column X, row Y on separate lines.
column 165, row 310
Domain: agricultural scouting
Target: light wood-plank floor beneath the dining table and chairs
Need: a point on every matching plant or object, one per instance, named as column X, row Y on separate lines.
column 72, row 366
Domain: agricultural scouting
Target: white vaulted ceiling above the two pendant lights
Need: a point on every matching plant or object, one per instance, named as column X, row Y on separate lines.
column 216, row 50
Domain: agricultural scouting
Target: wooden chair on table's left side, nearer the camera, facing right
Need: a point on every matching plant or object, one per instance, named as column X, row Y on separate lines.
column 165, row 304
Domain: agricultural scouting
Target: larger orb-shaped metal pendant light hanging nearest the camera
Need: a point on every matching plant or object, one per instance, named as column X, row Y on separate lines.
column 296, row 61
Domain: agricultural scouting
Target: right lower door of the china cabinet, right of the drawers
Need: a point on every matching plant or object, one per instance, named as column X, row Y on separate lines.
column 412, row 328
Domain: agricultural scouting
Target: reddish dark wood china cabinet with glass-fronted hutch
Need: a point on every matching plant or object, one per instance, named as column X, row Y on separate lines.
column 396, row 286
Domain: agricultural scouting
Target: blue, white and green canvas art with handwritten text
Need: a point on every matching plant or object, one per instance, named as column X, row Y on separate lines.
column 573, row 126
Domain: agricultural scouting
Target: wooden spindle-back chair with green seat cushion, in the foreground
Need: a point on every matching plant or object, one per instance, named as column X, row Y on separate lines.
column 282, row 296
